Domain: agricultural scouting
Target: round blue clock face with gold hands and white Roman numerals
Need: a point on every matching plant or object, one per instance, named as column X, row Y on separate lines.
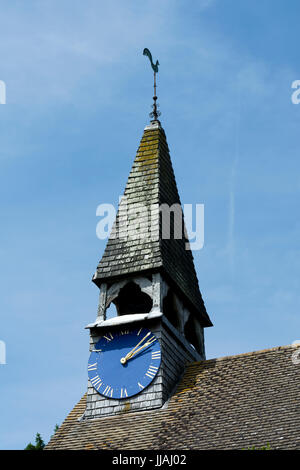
column 123, row 363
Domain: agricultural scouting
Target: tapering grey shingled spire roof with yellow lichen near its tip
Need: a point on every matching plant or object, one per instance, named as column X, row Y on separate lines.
column 152, row 181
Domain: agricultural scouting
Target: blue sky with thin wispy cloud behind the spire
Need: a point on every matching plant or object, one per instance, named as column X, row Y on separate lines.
column 78, row 96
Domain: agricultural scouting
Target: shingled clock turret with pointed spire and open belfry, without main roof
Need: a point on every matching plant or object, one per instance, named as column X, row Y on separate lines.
column 147, row 272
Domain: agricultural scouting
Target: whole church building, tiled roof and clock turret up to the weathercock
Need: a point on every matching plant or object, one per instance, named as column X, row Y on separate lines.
column 149, row 385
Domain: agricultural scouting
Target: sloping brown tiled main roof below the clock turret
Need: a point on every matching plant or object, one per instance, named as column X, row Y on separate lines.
column 233, row 402
